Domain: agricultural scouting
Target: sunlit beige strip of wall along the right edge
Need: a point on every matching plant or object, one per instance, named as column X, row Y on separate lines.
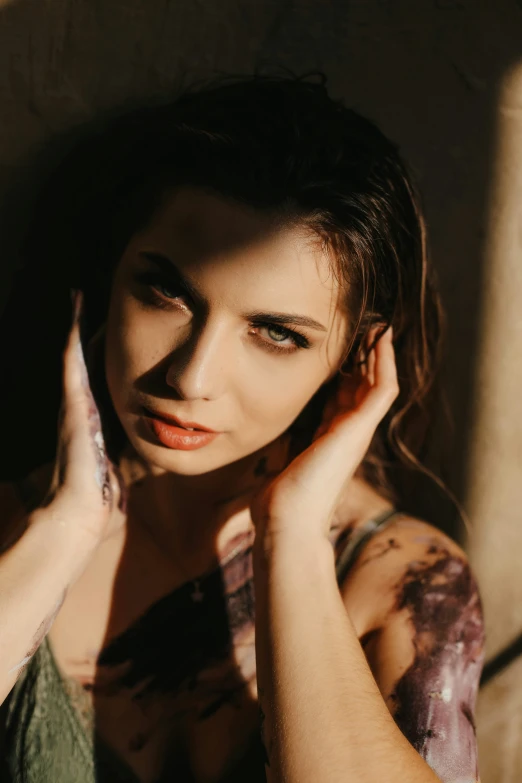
column 494, row 494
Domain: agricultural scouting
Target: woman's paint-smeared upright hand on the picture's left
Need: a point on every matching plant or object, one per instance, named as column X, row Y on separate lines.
column 85, row 489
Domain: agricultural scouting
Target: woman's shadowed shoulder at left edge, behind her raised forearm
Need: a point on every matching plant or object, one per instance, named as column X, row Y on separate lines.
column 17, row 500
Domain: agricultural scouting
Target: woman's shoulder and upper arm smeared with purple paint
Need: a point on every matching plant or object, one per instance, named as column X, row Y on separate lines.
column 424, row 639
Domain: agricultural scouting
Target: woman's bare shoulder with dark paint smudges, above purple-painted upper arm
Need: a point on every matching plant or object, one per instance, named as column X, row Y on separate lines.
column 406, row 560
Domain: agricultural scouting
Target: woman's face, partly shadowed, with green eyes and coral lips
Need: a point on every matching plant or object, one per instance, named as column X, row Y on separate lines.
column 191, row 330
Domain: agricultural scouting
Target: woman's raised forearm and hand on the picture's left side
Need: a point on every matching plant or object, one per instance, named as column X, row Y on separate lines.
column 42, row 553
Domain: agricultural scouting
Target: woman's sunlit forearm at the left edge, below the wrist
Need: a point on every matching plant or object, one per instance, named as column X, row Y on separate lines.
column 35, row 574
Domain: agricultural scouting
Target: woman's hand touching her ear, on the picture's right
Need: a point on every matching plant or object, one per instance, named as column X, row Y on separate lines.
column 302, row 499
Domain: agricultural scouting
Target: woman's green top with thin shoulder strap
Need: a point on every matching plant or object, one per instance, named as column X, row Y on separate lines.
column 45, row 741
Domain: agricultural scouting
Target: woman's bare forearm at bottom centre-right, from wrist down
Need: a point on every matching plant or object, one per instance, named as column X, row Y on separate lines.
column 325, row 719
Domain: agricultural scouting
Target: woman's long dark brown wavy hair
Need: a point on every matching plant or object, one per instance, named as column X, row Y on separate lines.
column 278, row 144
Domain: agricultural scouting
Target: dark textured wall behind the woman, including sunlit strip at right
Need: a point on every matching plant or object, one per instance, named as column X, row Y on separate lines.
column 429, row 72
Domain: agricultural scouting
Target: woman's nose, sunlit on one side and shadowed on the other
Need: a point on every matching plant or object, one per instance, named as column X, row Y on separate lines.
column 196, row 370
